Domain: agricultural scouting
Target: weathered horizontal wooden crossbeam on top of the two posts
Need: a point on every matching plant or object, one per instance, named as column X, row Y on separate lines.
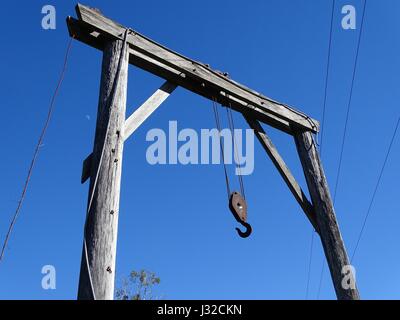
column 94, row 29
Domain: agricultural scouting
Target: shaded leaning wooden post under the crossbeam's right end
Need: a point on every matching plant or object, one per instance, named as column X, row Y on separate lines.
column 331, row 238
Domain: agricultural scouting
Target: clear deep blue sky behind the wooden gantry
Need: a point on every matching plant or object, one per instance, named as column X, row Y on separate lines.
column 278, row 47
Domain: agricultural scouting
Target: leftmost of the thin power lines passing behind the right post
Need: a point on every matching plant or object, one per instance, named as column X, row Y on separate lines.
column 322, row 128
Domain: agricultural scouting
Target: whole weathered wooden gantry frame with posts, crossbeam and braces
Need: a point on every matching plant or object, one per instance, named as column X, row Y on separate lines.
column 120, row 46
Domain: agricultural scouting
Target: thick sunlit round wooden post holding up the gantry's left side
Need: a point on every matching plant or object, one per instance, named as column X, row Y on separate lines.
column 102, row 220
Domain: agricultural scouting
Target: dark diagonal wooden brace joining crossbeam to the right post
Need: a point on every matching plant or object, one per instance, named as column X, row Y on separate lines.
column 283, row 170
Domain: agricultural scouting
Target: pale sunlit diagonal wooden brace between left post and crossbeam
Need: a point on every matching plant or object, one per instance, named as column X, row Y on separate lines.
column 147, row 108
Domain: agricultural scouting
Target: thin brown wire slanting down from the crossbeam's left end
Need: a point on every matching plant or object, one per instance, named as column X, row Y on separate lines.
column 37, row 149
